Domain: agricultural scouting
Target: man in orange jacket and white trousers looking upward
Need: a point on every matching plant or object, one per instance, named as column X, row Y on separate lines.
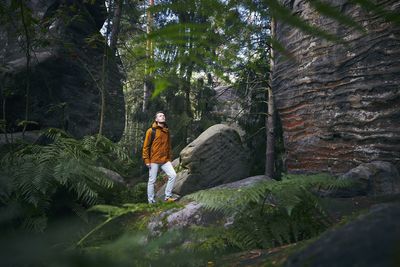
column 157, row 152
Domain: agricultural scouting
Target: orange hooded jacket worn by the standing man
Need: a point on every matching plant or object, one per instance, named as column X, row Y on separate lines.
column 161, row 151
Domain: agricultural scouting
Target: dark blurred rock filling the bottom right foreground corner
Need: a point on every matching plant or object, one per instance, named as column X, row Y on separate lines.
column 371, row 240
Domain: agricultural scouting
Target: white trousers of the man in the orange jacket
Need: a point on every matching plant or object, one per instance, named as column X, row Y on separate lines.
column 169, row 170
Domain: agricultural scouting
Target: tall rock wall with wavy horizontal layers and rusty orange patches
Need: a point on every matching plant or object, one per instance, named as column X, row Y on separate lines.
column 339, row 104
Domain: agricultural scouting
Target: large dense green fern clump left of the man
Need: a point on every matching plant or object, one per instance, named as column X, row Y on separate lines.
column 33, row 175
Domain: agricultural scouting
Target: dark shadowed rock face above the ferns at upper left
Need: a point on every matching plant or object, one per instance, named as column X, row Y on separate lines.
column 66, row 70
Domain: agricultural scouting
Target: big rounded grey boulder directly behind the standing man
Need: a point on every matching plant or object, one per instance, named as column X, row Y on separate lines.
column 215, row 157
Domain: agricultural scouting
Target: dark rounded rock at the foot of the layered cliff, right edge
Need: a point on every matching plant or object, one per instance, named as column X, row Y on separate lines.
column 377, row 178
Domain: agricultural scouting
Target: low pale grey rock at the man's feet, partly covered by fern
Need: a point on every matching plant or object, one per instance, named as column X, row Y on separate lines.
column 193, row 214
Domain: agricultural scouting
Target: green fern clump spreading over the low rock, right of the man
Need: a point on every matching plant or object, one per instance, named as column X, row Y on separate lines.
column 272, row 213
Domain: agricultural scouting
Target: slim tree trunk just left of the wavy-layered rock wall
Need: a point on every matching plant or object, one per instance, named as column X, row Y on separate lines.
column 270, row 118
